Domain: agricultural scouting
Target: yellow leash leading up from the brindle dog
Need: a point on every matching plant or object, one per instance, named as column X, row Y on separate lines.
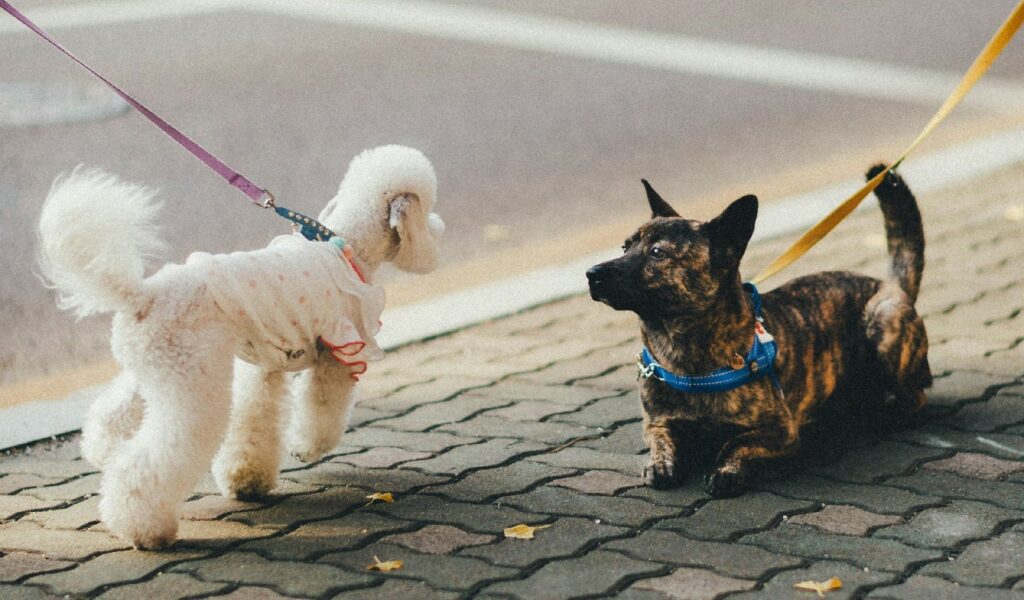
column 978, row 69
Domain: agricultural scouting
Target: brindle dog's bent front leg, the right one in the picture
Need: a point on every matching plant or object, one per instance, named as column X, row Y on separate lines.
column 773, row 438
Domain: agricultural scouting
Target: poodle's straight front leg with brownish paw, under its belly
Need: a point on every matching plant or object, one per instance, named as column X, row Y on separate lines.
column 249, row 459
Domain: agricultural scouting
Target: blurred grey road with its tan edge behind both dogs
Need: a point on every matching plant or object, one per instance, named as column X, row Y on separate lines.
column 540, row 118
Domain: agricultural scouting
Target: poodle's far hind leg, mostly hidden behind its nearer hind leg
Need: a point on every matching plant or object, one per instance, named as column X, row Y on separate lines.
column 113, row 420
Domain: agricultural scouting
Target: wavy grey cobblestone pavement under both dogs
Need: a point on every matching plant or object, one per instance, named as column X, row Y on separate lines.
column 534, row 419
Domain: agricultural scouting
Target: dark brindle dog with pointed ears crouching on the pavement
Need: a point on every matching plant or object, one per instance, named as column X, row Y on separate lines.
column 840, row 335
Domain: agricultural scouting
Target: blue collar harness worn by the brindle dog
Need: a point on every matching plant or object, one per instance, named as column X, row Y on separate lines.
column 759, row 363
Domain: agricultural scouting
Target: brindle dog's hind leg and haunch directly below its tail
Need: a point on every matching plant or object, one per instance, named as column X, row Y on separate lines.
column 898, row 334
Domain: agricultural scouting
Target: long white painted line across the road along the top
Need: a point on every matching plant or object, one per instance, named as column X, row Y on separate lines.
column 676, row 54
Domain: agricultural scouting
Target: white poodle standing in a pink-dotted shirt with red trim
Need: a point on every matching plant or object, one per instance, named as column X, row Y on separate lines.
column 294, row 306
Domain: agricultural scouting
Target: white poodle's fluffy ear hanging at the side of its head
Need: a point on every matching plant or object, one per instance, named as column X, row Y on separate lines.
column 418, row 233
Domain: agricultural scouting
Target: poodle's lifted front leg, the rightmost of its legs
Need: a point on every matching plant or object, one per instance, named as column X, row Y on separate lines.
column 323, row 401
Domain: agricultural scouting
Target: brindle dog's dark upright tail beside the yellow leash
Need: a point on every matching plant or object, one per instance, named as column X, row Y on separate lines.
column 904, row 231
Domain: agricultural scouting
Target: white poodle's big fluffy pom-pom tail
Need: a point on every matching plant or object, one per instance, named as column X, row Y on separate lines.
column 96, row 234
